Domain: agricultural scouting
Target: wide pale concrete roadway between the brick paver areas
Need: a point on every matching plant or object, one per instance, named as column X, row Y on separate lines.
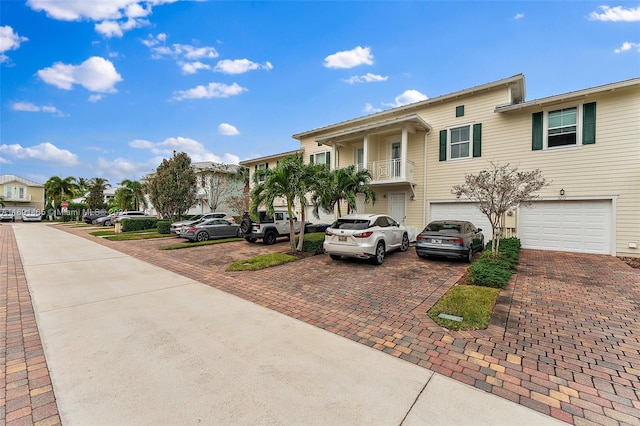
column 130, row 343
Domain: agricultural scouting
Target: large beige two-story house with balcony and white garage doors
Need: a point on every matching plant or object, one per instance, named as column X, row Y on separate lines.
column 586, row 143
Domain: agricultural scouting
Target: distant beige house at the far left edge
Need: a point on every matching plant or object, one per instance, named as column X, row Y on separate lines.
column 20, row 194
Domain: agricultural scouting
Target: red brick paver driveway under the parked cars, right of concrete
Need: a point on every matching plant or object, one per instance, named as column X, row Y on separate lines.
column 565, row 339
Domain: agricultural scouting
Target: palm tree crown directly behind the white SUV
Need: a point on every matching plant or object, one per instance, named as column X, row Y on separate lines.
column 340, row 185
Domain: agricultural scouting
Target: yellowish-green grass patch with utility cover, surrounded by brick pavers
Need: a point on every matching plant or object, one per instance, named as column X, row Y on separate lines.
column 473, row 303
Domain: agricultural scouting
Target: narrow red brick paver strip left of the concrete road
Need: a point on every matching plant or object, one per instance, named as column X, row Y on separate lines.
column 25, row 385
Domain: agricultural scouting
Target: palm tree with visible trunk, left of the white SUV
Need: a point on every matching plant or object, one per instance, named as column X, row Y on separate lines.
column 289, row 180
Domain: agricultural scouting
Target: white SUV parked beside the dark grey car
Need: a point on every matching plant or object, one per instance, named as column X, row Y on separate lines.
column 365, row 236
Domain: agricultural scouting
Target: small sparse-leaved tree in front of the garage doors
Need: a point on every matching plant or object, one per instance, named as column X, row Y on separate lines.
column 499, row 190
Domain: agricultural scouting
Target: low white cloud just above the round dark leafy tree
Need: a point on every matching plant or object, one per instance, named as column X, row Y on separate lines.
column 193, row 148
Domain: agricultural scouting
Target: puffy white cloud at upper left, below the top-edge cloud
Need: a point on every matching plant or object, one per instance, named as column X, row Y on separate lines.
column 96, row 74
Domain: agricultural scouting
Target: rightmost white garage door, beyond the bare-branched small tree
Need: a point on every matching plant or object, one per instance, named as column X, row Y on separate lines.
column 577, row 226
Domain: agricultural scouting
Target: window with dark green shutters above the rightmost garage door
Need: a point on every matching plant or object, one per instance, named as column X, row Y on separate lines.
column 564, row 127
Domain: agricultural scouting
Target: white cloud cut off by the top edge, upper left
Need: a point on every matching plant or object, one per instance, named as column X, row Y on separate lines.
column 113, row 17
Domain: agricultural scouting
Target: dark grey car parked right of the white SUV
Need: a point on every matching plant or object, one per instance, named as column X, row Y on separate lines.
column 450, row 238
